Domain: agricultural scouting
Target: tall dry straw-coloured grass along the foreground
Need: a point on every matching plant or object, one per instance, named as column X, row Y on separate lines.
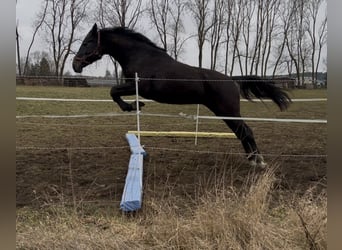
column 220, row 217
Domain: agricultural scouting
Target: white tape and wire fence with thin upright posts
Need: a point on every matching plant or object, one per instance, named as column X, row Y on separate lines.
column 180, row 115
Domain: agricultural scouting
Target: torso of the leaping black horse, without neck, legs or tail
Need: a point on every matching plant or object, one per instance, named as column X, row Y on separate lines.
column 179, row 83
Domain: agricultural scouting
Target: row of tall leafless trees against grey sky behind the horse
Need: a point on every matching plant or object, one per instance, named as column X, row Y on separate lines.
column 262, row 37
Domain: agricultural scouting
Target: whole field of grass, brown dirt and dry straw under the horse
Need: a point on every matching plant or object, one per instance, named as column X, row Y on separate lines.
column 71, row 173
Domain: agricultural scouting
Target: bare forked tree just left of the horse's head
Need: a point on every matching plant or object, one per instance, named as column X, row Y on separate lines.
column 63, row 17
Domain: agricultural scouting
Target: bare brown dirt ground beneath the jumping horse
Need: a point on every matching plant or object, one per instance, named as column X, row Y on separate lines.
column 85, row 160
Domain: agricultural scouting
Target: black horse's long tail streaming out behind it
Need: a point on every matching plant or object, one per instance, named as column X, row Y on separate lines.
column 262, row 88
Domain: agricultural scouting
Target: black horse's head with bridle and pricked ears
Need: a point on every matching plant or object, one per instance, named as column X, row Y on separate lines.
column 89, row 52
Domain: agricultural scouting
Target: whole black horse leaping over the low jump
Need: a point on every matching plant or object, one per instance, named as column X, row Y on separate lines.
column 156, row 69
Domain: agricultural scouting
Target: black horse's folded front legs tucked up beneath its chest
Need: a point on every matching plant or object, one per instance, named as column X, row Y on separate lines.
column 124, row 90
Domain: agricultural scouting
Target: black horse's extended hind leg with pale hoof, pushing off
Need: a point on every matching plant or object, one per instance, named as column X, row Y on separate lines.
column 245, row 135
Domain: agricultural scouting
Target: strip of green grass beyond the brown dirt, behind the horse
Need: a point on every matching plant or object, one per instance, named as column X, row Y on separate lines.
column 68, row 108
